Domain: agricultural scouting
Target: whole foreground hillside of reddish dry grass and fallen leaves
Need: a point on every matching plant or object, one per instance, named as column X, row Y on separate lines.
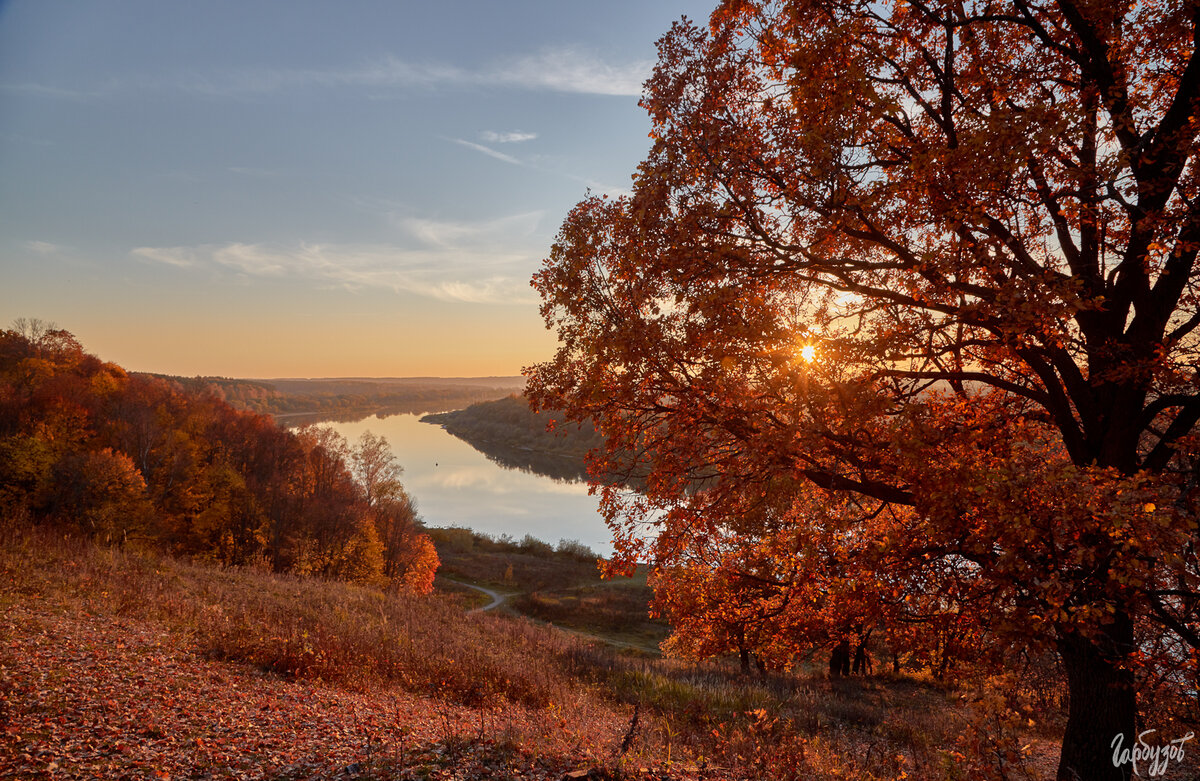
column 476, row 695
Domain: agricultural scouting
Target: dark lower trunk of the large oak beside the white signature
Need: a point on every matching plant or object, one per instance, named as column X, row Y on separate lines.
column 1103, row 704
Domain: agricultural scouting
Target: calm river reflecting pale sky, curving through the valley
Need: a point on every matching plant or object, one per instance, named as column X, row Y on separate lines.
column 457, row 485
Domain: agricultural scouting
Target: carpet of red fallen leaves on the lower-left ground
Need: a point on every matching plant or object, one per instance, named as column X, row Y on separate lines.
column 101, row 698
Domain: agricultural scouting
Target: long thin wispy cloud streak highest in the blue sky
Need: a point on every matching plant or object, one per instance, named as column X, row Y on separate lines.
column 561, row 69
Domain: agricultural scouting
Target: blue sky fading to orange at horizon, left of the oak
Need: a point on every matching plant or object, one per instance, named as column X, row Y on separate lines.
column 291, row 189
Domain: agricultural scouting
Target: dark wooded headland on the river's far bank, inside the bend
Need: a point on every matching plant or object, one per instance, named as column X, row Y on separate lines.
column 512, row 435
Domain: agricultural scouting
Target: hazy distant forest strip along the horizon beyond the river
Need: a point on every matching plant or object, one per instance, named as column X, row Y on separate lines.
column 349, row 399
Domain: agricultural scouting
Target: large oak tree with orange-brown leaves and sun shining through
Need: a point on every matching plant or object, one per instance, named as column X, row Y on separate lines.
column 981, row 217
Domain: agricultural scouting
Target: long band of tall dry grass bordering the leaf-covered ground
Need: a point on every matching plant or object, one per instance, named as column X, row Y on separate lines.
column 693, row 722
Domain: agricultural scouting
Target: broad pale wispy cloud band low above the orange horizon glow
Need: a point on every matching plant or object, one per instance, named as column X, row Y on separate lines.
column 477, row 263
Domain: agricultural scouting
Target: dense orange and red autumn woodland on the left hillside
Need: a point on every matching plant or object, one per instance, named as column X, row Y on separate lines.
column 130, row 459
